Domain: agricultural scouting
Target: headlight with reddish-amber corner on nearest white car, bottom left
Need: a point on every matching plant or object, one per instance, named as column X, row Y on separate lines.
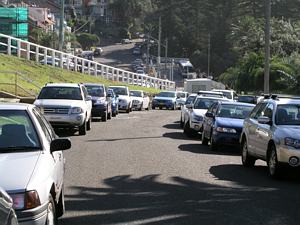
column 27, row 200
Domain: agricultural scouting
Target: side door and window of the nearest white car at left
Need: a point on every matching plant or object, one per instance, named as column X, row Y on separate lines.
column 57, row 156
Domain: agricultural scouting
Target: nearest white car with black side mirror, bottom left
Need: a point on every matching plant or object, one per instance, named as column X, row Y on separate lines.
column 32, row 164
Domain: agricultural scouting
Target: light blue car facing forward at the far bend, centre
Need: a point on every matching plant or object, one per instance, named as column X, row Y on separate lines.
column 165, row 99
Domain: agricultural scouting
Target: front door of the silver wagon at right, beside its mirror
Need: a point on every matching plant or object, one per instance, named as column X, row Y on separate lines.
column 263, row 131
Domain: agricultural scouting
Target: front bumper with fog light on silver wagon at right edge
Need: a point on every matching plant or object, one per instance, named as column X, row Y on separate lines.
column 285, row 153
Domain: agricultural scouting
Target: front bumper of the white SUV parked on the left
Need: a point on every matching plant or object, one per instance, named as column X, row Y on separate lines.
column 67, row 120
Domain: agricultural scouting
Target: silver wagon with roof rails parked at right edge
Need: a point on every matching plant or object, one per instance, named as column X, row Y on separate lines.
column 271, row 133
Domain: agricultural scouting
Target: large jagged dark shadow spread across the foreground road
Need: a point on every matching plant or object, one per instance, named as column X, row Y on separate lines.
column 145, row 200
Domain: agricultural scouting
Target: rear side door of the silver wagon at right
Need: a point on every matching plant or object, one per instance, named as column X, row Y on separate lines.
column 252, row 125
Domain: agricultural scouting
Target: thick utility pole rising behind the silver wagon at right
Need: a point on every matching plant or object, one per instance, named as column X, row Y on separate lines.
column 267, row 47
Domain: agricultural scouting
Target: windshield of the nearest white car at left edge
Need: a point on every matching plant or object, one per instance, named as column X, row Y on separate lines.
column 17, row 132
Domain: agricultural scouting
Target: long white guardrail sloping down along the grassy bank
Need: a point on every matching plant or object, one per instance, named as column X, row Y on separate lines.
column 44, row 55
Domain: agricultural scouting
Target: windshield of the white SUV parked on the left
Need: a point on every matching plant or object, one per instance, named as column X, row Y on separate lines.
column 70, row 93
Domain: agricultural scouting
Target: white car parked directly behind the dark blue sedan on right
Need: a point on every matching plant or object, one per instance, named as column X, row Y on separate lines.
column 193, row 118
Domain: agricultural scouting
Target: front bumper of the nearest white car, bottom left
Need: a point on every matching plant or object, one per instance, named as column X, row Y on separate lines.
column 36, row 216
